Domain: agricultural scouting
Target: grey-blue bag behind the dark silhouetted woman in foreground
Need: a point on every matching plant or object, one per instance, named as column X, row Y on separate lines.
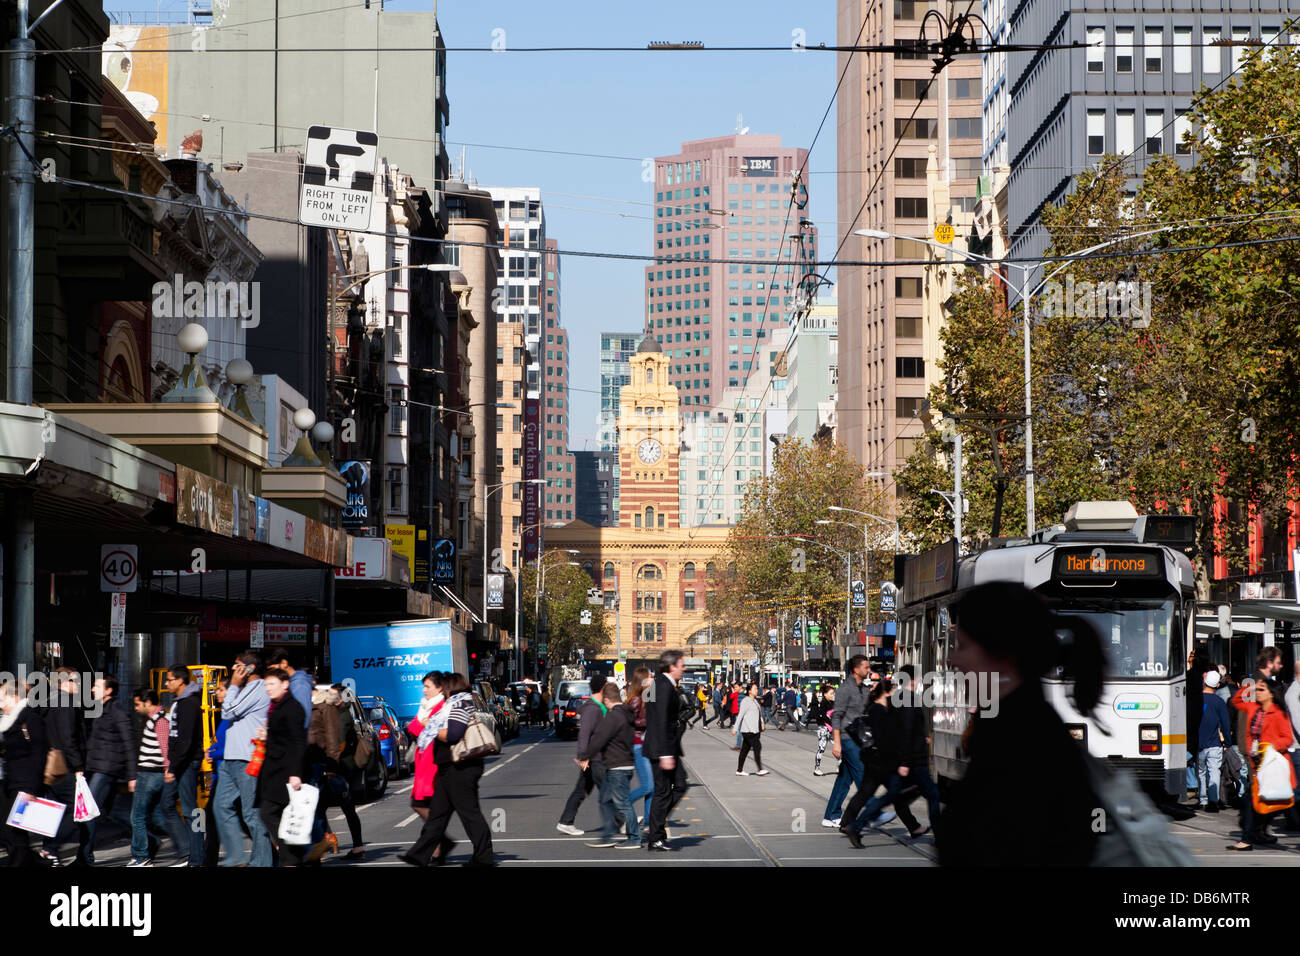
column 1136, row 832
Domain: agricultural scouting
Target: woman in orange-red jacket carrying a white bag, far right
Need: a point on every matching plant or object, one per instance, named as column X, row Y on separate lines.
column 1268, row 738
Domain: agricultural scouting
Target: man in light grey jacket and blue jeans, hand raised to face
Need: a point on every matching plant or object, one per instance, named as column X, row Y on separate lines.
column 246, row 708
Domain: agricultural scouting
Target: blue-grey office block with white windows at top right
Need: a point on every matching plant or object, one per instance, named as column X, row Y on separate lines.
column 1129, row 92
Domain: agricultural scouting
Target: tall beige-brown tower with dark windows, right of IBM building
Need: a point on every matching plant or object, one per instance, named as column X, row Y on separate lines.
column 889, row 98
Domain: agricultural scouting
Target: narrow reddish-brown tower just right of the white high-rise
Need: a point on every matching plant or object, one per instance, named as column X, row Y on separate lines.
column 557, row 460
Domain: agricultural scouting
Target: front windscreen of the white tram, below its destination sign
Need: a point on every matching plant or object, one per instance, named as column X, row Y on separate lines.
column 1141, row 635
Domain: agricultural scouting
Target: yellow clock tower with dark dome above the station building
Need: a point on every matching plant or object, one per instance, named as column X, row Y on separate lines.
column 649, row 444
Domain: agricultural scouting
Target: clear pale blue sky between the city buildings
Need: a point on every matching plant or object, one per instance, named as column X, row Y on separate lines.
column 621, row 105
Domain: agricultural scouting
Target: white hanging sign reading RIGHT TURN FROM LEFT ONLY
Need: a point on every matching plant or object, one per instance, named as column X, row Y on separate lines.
column 339, row 179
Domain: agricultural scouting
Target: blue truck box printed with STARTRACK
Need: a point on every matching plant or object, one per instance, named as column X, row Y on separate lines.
column 391, row 660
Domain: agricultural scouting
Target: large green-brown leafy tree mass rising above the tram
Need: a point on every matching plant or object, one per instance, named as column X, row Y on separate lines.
column 1188, row 408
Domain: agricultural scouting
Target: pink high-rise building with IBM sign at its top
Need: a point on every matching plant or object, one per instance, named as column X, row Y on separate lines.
column 726, row 198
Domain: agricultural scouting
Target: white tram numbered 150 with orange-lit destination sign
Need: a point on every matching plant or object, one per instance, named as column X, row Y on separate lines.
column 1130, row 577
